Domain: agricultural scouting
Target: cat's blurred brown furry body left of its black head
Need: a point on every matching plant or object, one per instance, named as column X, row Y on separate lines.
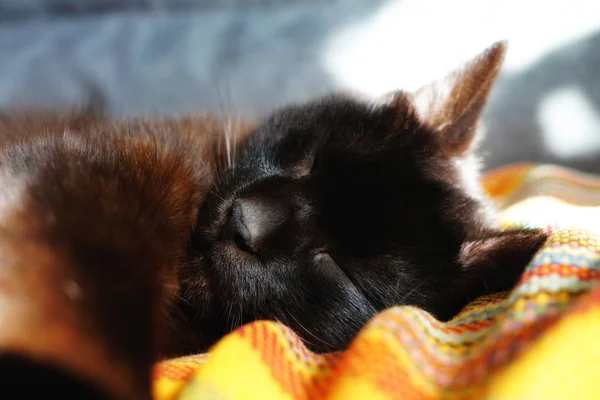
column 94, row 217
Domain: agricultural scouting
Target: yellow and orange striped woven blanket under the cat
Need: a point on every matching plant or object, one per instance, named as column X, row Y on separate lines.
column 540, row 341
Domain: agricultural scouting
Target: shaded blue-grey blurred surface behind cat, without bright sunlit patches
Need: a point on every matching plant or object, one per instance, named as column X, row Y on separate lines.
column 242, row 56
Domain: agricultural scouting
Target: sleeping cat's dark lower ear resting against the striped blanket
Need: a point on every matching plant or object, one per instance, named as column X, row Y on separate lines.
column 495, row 262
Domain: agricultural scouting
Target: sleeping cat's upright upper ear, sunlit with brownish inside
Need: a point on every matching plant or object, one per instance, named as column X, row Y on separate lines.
column 453, row 105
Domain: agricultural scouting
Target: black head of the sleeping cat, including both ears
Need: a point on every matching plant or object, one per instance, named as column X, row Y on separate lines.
column 340, row 207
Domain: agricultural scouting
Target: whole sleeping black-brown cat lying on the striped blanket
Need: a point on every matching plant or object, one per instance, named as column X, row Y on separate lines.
column 332, row 211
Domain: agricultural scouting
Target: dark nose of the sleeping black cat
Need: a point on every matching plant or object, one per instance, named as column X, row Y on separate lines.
column 254, row 221
